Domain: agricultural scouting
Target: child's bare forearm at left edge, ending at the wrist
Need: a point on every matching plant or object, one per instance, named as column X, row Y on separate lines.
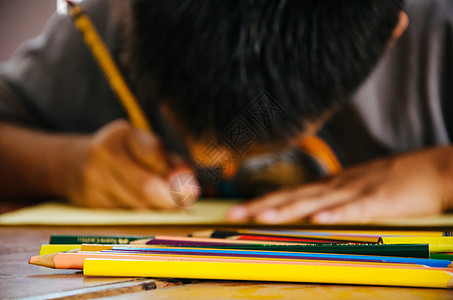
column 34, row 163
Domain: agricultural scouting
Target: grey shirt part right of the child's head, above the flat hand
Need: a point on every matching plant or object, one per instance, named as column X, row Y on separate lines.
column 407, row 102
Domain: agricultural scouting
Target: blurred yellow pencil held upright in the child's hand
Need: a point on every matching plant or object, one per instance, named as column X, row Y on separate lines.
column 104, row 59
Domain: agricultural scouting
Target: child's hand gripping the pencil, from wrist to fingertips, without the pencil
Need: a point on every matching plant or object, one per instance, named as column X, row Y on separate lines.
column 121, row 166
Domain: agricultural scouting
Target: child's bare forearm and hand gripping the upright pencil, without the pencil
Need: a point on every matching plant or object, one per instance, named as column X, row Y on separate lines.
column 118, row 166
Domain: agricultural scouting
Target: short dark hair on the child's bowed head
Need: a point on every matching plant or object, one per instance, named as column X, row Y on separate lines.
column 209, row 60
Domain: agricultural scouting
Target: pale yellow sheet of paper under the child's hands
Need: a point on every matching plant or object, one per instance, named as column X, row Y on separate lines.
column 205, row 212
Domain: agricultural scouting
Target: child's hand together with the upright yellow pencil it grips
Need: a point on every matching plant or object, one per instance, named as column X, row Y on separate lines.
column 124, row 165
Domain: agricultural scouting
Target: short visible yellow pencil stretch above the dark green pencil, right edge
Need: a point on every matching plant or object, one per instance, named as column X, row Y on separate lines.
column 436, row 244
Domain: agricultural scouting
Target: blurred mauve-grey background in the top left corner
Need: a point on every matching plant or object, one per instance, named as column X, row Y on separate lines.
column 21, row 20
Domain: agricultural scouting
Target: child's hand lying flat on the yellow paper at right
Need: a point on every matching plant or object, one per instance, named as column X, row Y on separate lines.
column 418, row 183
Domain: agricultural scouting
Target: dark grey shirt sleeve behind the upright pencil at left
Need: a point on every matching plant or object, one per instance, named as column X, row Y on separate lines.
column 53, row 82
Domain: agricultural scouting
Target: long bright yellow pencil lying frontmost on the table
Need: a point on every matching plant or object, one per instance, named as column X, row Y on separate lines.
column 315, row 273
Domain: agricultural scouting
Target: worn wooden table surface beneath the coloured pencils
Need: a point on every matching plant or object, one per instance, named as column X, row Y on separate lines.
column 18, row 279
